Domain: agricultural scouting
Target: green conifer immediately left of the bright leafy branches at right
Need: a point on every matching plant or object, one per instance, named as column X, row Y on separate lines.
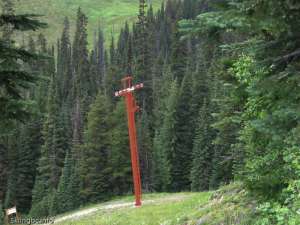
column 228, row 151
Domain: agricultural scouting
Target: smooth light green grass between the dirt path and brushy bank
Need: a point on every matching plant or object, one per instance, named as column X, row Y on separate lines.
column 163, row 209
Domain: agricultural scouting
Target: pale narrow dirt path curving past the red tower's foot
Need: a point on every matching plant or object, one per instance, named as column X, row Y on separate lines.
column 115, row 205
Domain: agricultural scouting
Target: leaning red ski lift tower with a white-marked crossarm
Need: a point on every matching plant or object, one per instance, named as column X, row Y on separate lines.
column 132, row 108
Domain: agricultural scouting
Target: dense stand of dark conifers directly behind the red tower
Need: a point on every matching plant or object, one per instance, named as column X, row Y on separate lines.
column 98, row 161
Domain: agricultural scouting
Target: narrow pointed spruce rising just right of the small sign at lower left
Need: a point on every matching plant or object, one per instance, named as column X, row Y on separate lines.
column 52, row 153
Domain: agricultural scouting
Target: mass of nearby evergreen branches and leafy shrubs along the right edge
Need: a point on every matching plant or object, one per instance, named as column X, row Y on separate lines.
column 258, row 111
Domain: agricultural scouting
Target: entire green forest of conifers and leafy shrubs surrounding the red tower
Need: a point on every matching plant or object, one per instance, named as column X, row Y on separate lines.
column 220, row 104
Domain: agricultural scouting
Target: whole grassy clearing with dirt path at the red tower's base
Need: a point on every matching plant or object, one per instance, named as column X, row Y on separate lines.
column 229, row 205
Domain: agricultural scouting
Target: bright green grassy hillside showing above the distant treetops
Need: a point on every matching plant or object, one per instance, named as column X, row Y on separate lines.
column 109, row 14
